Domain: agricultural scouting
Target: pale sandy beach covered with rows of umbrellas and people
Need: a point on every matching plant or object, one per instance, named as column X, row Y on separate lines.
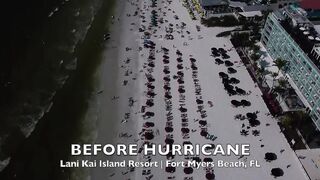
column 163, row 80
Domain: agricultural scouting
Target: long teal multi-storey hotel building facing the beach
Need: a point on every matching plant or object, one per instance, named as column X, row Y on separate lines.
column 289, row 35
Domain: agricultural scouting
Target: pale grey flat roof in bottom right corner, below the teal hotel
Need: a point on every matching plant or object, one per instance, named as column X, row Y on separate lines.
column 310, row 160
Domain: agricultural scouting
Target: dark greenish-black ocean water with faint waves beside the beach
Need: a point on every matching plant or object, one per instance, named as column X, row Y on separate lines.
column 53, row 49
